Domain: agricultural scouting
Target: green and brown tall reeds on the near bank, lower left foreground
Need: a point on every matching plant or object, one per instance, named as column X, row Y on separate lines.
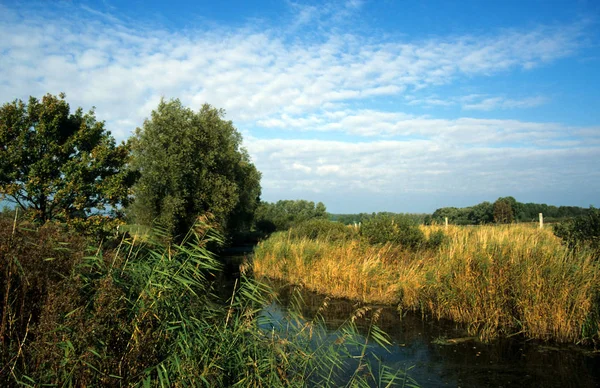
column 144, row 314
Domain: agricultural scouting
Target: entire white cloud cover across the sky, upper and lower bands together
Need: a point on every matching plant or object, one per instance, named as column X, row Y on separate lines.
column 274, row 88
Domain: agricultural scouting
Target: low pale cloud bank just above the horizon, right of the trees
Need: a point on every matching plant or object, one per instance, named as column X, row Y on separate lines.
column 421, row 166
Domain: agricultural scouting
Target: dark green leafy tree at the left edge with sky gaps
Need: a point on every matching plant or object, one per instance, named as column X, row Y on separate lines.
column 60, row 165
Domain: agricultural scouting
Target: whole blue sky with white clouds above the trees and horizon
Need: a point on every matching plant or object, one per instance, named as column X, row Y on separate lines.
column 364, row 105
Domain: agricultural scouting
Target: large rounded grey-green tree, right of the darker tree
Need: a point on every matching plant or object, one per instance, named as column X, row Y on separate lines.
column 190, row 164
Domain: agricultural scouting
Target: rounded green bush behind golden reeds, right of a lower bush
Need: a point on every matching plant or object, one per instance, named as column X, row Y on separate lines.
column 396, row 229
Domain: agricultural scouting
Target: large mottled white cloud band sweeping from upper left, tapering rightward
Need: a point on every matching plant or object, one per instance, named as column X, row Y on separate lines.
column 251, row 74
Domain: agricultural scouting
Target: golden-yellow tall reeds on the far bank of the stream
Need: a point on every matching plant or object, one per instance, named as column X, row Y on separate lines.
column 498, row 280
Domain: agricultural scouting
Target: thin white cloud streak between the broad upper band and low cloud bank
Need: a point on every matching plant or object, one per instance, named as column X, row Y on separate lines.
column 460, row 132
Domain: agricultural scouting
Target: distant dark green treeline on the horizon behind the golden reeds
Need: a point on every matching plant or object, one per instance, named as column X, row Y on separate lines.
column 503, row 210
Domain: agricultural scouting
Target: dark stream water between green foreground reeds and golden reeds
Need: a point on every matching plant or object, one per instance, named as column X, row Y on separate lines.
column 422, row 345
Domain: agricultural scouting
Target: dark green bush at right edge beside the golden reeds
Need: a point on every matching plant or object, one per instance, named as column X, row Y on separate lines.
column 582, row 230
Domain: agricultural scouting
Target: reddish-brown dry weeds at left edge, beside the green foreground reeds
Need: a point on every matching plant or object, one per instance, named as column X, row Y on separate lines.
column 34, row 265
